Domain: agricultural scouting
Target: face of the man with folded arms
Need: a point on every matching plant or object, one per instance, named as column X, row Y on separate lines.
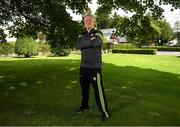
column 89, row 22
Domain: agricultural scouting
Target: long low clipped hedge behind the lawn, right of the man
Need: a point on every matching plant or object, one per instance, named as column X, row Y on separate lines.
column 135, row 51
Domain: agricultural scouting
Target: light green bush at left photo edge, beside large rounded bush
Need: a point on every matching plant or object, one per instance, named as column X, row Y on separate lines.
column 6, row 48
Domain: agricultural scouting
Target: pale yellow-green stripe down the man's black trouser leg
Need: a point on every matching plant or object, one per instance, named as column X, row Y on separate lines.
column 101, row 95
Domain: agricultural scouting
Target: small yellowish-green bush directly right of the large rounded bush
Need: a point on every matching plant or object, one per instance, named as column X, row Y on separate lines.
column 44, row 48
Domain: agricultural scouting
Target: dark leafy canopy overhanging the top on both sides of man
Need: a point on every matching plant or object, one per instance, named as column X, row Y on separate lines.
column 51, row 17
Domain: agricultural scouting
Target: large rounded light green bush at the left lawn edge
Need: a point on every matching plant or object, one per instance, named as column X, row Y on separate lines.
column 26, row 46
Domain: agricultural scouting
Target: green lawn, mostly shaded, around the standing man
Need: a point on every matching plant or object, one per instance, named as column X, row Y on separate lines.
column 140, row 89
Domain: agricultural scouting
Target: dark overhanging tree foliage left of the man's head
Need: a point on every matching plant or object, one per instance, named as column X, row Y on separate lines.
column 49, row 16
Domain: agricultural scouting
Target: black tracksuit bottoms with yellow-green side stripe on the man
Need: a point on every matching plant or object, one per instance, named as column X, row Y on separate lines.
column 93, row 76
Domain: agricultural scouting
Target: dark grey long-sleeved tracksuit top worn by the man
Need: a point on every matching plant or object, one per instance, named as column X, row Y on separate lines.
column 90, row 50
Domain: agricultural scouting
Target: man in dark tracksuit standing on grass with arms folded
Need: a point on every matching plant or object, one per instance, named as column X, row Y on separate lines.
column 90, row 43
